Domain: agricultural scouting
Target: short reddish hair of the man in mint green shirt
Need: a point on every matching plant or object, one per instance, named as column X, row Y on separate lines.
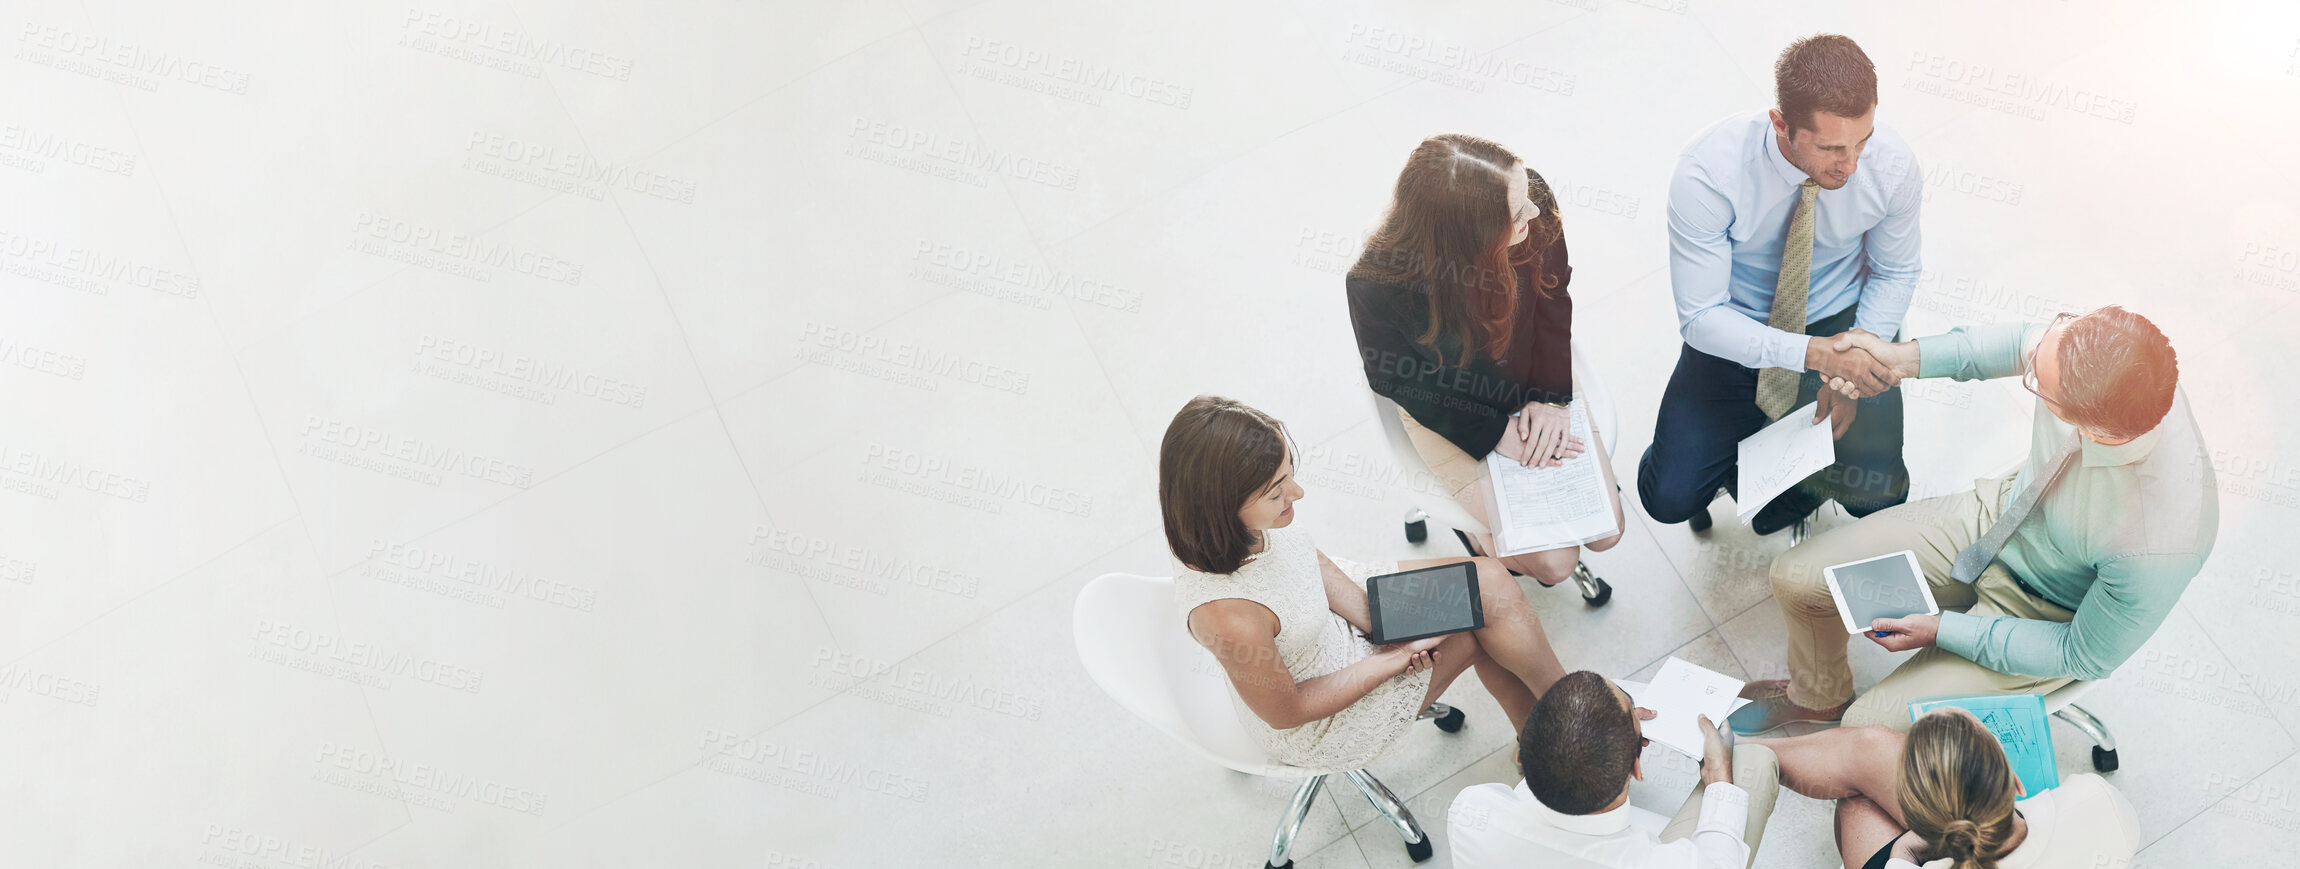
column 2117, row 374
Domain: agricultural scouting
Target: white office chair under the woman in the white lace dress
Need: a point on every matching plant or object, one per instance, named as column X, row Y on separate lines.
column 1135, row 645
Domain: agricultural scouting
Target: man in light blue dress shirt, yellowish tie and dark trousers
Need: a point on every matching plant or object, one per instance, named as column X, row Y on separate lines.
column 1735, row 256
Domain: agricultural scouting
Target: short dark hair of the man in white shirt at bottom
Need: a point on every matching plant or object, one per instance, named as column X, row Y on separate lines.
column 1579, row 746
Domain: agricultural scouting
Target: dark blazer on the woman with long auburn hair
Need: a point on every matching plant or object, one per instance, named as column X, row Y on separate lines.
column 1471, row 399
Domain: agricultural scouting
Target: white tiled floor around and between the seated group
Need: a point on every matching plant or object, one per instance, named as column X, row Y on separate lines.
column 498, row 433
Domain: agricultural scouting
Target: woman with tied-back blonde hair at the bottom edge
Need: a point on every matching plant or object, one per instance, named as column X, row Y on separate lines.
column 1945, row 797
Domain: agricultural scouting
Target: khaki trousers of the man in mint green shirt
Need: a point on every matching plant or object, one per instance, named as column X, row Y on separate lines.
column 1935, row 530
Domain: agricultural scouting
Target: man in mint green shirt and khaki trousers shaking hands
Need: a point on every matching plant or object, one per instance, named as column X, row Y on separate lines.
column 2069, row 564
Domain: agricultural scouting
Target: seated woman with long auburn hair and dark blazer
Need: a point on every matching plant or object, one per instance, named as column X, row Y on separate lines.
column 1464, row 321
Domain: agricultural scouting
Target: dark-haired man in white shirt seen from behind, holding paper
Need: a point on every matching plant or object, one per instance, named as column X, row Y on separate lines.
column 1579, row 753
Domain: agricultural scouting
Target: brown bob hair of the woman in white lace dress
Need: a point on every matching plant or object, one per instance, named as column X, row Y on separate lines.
column 1216, row 459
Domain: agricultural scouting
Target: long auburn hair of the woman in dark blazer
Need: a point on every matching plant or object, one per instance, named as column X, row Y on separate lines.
column 1448, row 238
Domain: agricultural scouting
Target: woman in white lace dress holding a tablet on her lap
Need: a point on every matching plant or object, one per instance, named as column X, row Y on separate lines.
column 1289, row 622
